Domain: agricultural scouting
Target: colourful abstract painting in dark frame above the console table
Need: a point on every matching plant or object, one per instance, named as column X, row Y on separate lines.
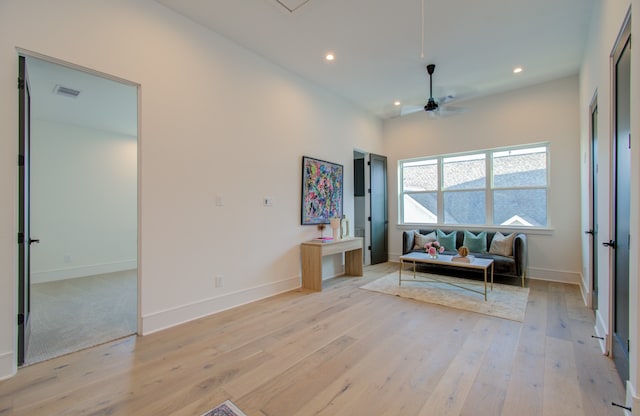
column 322, row 191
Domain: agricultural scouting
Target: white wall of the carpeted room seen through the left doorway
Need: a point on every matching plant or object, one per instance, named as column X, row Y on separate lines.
column 83, row 201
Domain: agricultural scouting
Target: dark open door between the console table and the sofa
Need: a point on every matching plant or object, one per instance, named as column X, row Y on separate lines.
column 379, row 212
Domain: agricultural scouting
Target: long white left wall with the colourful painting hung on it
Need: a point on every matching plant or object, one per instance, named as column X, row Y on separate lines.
column 215, row 119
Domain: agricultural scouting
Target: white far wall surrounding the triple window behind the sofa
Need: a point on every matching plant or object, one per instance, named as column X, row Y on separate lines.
column 542, row 113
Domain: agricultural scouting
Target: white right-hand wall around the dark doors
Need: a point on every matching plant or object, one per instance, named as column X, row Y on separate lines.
column 595, row 76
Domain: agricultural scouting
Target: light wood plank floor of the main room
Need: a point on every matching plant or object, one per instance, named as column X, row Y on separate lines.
column 343, row 351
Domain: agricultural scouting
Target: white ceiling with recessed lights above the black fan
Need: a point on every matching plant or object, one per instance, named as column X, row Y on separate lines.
column 378, row 43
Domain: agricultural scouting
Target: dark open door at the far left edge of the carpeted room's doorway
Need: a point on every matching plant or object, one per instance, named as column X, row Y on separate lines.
column 24, row 236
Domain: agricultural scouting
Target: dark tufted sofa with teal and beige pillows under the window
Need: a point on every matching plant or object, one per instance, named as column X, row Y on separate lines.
column 509, row 252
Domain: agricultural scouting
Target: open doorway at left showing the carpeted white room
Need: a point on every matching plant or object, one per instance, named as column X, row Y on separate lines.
column 82, row 209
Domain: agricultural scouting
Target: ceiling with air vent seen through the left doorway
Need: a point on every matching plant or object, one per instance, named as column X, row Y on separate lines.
column 102, row 104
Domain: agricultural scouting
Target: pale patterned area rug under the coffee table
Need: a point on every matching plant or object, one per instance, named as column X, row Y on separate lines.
column 508, row 302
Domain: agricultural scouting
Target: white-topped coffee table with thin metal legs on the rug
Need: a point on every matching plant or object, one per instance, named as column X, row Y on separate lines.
column 445, row 260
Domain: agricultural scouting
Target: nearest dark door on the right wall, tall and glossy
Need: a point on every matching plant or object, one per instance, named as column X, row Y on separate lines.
column 622, row 166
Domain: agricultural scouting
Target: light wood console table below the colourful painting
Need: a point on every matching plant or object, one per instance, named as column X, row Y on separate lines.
column 313, row 251
